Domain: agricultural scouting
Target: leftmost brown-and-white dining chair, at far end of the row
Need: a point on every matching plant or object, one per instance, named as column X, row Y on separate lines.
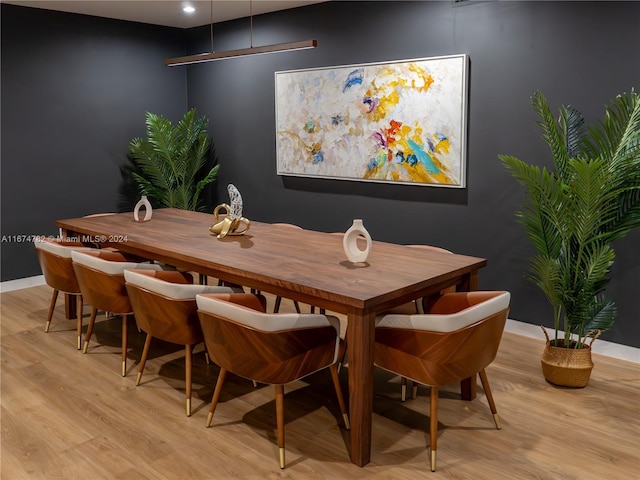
column 54, row 257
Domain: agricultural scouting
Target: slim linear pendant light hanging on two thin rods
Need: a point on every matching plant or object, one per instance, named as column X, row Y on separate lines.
column 242, row 52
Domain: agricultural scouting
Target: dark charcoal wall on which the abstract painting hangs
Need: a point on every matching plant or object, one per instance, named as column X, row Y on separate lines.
column 581, row 54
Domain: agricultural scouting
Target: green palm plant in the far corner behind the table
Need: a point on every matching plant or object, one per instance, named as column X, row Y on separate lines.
column 173, row 163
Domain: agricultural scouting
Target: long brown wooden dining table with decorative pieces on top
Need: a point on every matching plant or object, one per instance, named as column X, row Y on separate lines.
column 303, row 265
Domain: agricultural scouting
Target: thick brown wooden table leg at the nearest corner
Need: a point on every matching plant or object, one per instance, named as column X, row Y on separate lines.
column 361, row 336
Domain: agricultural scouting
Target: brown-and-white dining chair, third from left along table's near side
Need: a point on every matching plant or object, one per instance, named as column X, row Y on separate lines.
column 164, row 306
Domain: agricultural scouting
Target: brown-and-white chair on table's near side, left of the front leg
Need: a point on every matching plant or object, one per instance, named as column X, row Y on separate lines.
column 274, row 349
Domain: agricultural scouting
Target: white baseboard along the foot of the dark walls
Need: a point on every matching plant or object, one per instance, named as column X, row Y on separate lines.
column 602, row 347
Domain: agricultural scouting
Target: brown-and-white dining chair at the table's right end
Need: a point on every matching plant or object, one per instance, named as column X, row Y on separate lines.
column 457, row 339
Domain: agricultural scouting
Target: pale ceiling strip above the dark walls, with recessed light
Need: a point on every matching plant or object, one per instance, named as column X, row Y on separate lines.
column 167, row 12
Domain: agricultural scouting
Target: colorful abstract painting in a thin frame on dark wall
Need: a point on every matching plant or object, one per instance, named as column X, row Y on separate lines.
column 395, row 122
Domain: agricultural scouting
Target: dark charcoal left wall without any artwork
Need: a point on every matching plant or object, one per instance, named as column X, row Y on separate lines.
column 74, row 92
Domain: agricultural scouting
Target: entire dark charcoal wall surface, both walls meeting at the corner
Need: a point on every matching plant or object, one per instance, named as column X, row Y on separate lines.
column 75, row 88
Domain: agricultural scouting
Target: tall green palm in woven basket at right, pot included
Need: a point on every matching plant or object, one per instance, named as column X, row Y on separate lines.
column 572, row 214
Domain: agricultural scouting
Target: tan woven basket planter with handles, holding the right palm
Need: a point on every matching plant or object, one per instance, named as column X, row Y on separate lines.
column 567, row 367
